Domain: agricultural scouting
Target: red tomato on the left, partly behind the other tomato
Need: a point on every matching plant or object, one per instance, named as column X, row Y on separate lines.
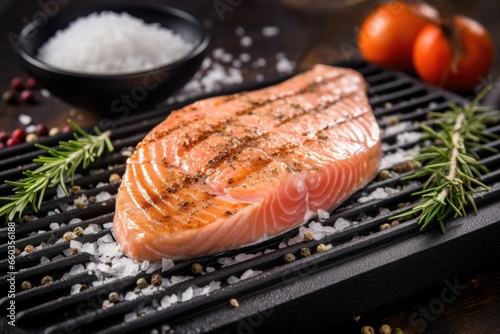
column 387, row 34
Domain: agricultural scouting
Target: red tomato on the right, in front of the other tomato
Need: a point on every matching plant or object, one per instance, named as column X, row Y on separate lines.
column 432, row 55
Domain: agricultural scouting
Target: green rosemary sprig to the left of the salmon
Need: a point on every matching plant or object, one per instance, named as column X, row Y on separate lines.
column 60, row 165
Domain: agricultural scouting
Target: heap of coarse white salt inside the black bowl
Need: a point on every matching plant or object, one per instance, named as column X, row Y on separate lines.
column 109, row 42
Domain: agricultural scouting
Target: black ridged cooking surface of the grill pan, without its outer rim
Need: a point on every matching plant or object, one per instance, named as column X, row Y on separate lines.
column 51, row 308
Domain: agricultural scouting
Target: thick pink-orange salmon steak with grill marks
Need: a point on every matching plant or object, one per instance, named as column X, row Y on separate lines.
column 233, row 170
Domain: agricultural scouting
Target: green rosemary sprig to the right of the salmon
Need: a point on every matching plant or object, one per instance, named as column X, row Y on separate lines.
column 450, row 164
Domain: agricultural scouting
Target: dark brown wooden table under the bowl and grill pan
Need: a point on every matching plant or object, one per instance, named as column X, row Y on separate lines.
column 320, row 31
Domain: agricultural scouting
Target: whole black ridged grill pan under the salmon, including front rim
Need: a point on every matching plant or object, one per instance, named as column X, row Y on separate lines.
column 311, row 293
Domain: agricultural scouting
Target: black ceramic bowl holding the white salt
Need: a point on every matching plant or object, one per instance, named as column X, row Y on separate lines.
column 117, row 94
